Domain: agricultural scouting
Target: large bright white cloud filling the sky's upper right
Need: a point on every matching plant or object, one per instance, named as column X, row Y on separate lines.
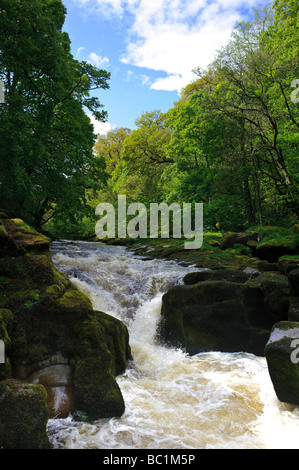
column 174, row 36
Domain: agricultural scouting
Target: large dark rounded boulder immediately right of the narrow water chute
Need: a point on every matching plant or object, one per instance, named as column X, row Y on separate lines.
column 214, row 315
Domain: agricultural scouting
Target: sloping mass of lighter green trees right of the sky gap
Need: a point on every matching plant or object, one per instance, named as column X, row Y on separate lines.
column 231, row 141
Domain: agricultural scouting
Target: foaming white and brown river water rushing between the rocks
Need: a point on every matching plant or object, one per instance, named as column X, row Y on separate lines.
column 173, row 401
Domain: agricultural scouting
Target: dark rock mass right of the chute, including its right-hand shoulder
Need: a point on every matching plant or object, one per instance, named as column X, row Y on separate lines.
column 225, row 310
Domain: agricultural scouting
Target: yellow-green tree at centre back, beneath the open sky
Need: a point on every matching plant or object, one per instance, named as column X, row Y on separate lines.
column 141, row 157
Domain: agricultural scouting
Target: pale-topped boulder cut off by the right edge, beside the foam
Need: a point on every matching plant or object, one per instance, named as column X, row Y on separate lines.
column 282, row 355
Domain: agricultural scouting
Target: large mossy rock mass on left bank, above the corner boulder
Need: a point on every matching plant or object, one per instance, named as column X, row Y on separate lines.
column 55, row 334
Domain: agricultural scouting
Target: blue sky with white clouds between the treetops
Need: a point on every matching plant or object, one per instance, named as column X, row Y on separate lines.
column 150, row 47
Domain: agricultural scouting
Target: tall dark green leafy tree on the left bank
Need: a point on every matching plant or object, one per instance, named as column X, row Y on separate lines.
column 47, row 161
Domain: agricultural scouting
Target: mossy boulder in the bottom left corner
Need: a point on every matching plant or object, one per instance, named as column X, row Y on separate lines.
column 23, row 416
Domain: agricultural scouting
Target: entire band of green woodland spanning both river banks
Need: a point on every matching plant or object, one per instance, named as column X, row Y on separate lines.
column 231, row 140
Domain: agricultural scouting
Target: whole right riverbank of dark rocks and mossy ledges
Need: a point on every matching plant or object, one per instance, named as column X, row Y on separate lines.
column 247, row 299
